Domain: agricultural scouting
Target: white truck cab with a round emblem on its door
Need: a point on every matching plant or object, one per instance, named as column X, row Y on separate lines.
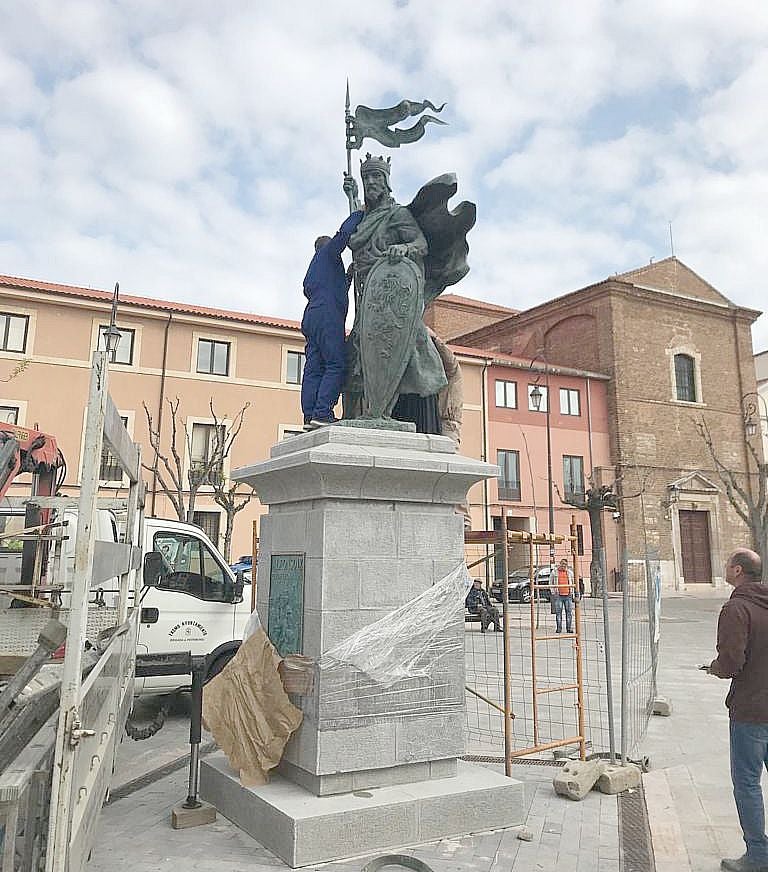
column 191, row 600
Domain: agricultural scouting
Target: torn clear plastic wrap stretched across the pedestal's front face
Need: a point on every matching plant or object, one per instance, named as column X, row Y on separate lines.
column 408, row 663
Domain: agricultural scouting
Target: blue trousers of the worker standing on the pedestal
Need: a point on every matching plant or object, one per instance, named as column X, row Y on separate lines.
column 324, row 365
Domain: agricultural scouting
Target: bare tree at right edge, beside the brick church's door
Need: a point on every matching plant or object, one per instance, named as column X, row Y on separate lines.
column 746, row 491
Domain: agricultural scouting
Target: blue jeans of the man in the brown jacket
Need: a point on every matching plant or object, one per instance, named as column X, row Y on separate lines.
column 749, row 753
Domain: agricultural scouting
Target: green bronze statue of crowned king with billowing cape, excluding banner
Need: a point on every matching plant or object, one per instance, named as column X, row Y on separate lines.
column 403, row 257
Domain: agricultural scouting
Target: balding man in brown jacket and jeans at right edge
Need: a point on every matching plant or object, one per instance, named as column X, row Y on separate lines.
column 742, row 656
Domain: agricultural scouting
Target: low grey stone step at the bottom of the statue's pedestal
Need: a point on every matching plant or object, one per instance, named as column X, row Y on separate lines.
column 303, row 829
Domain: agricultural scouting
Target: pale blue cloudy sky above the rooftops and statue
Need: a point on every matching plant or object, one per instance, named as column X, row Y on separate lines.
column 194, row 149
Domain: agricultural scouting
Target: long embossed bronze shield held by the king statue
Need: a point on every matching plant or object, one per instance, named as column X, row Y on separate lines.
column 391, row 305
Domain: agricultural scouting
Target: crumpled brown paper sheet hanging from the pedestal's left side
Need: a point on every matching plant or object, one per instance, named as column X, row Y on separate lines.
column 248, row 712
